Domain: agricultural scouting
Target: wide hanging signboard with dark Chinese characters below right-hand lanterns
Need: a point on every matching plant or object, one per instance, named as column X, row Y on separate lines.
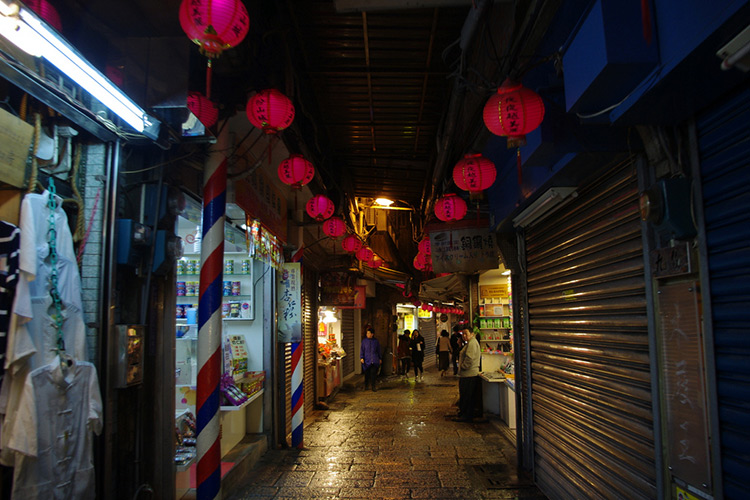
column 463, row 250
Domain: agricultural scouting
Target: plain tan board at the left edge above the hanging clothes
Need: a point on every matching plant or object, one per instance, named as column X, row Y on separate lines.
column 15, row 139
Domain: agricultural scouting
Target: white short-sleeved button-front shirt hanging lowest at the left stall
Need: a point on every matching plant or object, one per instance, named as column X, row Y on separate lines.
column 53, row 435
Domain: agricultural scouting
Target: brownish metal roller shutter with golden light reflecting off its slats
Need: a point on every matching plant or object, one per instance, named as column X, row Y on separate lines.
column 588, row 340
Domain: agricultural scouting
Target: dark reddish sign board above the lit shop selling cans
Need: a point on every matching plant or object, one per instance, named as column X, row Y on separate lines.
column 257, row 196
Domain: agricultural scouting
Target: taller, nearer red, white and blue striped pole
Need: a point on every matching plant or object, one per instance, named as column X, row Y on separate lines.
column 209, row 321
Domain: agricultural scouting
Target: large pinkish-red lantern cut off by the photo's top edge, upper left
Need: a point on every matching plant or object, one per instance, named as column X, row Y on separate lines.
column 215, row 25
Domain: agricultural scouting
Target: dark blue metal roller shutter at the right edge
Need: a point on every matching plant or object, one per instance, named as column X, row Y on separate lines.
column 724, row 146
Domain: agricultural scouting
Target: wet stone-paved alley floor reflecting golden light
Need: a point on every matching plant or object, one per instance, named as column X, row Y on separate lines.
column 398, row 442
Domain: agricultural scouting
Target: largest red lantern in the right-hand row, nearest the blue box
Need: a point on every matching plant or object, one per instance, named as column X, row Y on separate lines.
column 513, row 112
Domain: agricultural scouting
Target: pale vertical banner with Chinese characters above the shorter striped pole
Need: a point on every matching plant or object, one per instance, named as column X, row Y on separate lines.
column 288, row 302
